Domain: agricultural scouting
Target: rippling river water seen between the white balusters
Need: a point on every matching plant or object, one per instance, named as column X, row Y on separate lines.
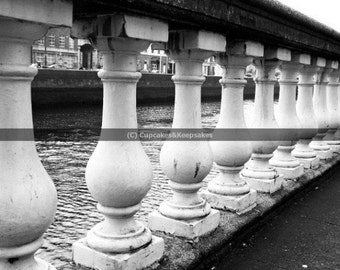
column 65, row 161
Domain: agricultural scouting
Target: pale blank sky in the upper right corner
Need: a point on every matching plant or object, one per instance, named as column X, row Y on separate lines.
column 324, row 11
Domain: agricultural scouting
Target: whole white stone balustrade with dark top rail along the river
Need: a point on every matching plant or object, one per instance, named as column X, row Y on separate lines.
column 119, row 173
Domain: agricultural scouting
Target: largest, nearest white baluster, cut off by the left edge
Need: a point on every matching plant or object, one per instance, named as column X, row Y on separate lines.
column 28, row 198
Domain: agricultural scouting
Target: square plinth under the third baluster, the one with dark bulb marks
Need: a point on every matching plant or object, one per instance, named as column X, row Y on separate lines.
column 190, row 229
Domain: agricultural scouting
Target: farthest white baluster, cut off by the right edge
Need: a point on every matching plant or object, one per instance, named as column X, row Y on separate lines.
column 332, row 106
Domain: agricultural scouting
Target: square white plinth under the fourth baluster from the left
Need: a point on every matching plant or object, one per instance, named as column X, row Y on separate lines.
column 239, row 204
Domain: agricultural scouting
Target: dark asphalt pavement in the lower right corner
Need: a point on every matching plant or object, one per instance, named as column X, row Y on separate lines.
column 304, row 235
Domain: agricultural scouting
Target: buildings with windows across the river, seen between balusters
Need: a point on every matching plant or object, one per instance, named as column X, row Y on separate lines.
column 58, row 50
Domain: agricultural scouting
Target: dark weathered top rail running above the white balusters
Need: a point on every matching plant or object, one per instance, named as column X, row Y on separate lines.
column 266, row 21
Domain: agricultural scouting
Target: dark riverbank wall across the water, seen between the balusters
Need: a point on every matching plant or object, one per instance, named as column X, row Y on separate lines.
column 67, row 88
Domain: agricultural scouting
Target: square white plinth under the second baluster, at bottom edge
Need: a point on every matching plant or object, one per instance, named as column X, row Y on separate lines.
column 142, row 258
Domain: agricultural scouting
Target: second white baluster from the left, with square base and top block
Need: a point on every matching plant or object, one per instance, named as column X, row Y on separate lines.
column 119, row 173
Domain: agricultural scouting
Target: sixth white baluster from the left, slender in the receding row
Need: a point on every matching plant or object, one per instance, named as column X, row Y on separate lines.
column 286, row 116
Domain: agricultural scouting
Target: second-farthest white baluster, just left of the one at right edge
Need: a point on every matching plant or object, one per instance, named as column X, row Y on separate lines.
column 321, row 148
